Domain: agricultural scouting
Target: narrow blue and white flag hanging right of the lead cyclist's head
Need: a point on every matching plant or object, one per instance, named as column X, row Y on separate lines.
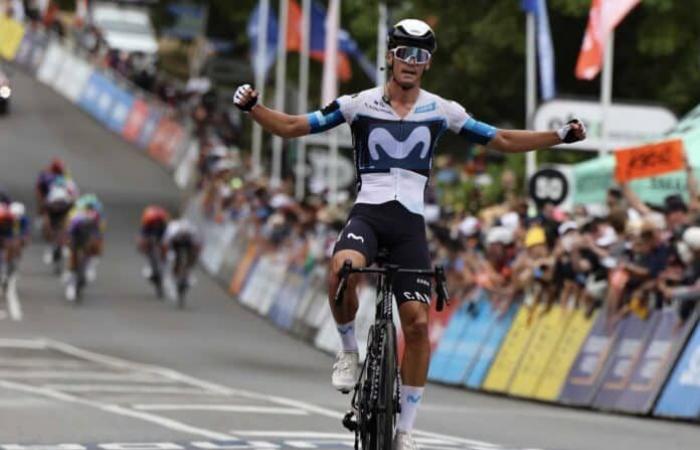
column 545, row 50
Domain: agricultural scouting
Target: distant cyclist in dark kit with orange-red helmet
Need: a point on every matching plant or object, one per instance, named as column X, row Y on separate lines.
column 154, row 221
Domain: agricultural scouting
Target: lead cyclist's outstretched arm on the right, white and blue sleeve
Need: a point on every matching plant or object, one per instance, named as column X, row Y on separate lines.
column 510, row 141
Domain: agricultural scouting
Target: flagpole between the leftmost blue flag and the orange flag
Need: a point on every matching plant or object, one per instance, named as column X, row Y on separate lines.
column 280, row 87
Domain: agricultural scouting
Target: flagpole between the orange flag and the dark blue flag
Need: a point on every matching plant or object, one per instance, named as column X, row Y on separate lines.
column 299, row 190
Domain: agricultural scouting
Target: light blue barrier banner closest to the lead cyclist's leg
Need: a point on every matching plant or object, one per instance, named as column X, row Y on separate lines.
column 469, row 343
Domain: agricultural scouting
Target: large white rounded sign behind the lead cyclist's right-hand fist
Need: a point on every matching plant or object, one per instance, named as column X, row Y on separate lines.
column 628, row 125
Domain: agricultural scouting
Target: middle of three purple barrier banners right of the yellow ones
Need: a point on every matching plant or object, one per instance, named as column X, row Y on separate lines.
column 631, row 341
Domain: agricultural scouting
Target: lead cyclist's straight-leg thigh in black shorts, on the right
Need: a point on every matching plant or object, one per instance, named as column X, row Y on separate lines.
column 412, row 253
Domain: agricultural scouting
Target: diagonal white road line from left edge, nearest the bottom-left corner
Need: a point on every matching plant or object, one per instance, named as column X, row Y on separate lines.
column 162, row 421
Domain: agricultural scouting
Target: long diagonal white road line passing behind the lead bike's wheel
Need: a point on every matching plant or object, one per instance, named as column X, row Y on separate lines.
column 223, row 390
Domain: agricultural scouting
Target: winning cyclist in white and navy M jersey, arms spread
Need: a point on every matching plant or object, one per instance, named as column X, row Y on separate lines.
column 395, row 128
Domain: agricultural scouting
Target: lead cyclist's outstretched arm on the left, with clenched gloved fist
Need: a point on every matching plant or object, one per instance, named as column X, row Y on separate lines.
column 286, row 125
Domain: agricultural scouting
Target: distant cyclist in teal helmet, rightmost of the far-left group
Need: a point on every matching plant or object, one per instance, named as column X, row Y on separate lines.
column 82, row 231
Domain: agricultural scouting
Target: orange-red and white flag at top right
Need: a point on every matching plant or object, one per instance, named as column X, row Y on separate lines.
column 603, row 17
